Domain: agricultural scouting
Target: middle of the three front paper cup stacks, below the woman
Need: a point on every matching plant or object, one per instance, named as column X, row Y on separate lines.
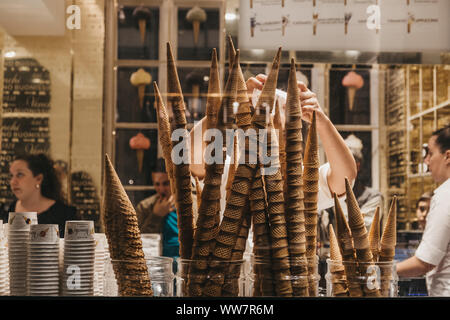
column 43, row 260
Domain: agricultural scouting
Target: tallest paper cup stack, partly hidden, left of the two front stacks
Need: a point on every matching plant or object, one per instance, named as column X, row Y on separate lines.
column 19, row 224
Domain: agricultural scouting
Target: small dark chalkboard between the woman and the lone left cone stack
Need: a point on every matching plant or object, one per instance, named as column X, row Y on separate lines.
column 85, row 198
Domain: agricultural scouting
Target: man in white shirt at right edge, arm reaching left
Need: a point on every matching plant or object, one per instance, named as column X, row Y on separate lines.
column 432, row 257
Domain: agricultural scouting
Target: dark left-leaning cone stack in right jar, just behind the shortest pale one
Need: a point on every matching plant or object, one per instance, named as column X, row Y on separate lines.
column 345, row 242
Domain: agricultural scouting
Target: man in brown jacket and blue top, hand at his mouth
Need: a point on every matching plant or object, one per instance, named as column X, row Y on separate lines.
column 157, row 213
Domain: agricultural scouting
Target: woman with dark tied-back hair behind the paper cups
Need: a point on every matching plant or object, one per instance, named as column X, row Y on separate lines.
column 36, row 186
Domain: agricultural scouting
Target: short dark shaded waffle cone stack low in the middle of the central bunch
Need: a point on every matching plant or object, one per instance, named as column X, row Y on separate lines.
column 263, row 276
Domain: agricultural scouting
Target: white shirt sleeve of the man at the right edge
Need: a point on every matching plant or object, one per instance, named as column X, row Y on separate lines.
column 436, row 236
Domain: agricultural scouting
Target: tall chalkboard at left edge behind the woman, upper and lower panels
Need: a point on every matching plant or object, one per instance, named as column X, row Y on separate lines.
column 25, row 115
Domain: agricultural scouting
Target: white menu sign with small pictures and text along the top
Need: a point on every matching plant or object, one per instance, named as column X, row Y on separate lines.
column 365, row 25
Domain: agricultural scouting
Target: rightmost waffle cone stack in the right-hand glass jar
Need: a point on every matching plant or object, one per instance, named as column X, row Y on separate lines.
column 387, row 247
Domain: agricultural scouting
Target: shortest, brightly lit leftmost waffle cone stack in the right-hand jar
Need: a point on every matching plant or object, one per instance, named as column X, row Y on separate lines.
column 339, row 285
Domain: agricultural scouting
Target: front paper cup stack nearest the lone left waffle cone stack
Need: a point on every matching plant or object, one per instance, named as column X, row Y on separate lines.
column 79, row 258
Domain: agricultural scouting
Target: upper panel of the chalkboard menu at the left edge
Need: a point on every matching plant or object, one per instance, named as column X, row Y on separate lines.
column 26, row 86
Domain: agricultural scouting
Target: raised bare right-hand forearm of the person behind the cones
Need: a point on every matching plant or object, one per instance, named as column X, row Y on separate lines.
column 342, row 163
